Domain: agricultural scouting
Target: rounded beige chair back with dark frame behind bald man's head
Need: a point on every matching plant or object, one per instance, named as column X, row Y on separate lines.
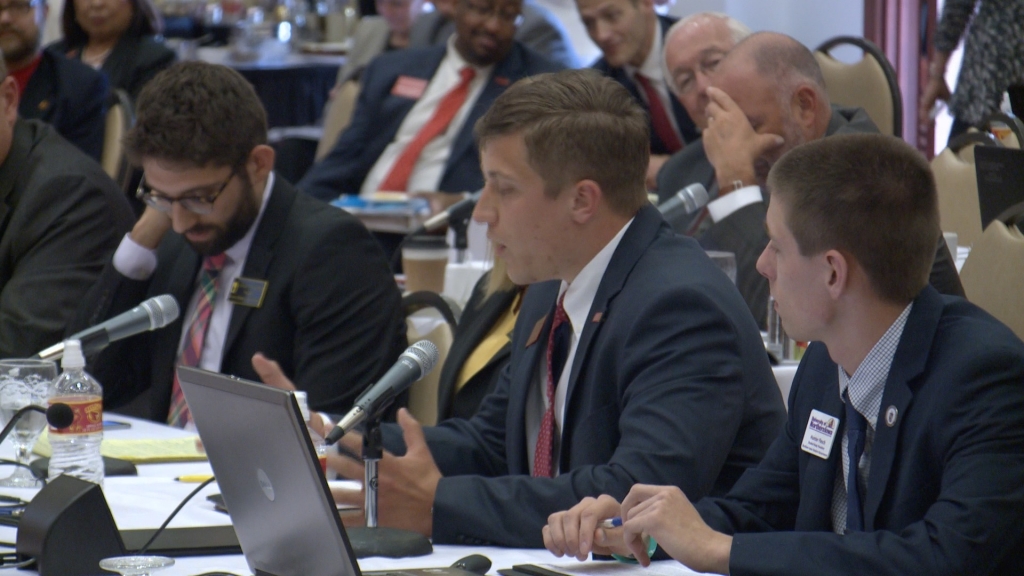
column 871, row 84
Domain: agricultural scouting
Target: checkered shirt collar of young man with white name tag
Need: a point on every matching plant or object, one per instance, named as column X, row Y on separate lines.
column 869, row 381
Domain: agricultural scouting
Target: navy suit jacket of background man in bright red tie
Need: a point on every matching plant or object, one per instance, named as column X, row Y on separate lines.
column 379, row 115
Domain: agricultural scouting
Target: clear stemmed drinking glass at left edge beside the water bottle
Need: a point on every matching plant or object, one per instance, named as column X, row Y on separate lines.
column 25, row 383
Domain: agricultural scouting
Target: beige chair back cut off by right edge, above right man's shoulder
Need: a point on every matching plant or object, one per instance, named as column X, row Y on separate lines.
column 994, row 274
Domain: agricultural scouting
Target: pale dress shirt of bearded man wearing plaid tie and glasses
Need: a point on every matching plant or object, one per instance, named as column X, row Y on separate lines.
column 139, row 263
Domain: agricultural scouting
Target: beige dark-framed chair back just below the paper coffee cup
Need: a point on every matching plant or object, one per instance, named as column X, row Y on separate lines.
column 430, row 317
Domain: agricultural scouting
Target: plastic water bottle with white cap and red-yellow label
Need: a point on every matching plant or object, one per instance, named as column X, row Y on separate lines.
column 76, row 449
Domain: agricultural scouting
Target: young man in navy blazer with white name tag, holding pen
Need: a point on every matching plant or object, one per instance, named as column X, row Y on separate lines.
column 905, row 448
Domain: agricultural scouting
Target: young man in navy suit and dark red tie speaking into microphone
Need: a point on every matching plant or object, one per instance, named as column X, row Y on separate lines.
column 665, row 376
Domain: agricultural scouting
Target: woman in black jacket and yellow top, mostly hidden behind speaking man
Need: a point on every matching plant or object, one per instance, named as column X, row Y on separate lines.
column 482, row 347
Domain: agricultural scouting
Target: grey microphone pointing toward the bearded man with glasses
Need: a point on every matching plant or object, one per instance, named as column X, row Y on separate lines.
column 155, row 313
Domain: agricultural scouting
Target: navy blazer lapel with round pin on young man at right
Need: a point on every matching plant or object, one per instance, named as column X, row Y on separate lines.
column 909, row 363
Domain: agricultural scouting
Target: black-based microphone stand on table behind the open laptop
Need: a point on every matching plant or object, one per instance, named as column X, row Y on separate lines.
column 373, row 540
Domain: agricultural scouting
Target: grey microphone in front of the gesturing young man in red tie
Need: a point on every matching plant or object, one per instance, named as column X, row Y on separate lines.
column 414, row 364
